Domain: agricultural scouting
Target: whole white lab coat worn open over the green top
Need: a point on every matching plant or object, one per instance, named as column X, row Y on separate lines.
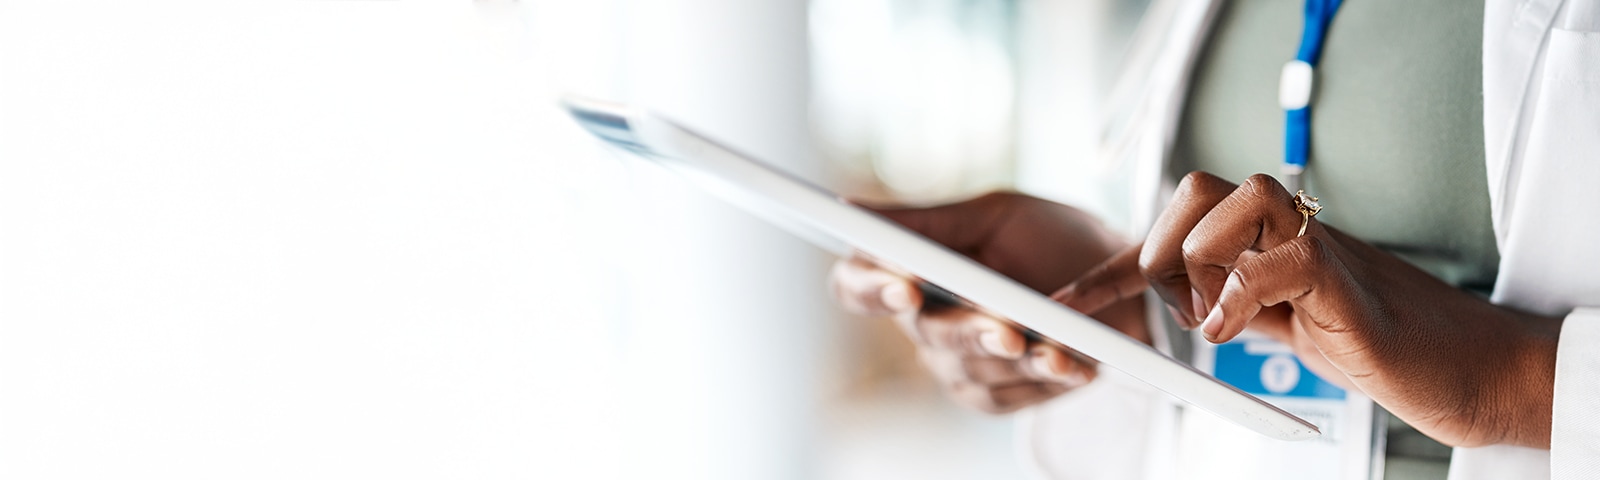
column 1542, row 118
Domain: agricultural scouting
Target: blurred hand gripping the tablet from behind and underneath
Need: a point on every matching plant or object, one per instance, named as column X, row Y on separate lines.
column 980, row 361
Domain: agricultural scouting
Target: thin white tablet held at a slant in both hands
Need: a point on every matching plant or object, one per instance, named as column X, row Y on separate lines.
column 833, row 223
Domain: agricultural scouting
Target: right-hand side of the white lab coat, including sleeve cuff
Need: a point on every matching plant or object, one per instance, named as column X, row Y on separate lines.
column 1548, row 252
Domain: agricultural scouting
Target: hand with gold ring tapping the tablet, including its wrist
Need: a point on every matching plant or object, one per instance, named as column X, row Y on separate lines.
column 1454, row 366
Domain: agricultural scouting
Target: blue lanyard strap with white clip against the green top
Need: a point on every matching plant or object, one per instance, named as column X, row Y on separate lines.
column 1295, row 89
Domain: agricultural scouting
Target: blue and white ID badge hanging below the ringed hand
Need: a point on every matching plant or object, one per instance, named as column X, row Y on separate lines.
column 1350, row 449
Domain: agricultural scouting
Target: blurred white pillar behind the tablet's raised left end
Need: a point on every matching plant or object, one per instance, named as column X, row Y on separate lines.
column 729, row 388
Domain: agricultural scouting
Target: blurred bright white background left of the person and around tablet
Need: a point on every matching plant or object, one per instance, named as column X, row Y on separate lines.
column 359, row 241
